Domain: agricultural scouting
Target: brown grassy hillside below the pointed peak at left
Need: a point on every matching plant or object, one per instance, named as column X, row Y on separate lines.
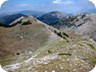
column 22, row 39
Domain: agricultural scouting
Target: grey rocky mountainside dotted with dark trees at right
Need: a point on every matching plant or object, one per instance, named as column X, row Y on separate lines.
column 83, row 24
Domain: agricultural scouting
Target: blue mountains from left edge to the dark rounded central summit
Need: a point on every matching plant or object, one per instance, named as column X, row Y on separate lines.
column 49, row 18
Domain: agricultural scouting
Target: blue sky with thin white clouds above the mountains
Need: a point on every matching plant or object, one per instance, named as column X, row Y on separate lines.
column 67, row 6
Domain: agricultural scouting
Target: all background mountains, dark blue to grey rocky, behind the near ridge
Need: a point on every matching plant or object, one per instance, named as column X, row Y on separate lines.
column 83, row 24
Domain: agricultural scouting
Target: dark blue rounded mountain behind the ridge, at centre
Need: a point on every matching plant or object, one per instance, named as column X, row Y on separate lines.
column 52, row 17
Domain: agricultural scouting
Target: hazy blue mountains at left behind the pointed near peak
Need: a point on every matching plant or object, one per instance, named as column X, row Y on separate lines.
column 7, row 18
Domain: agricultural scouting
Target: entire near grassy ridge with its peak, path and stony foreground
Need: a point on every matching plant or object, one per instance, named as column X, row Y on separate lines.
column 29, row 45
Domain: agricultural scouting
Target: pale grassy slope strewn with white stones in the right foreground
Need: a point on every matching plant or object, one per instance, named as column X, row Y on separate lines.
column 77, row 55
